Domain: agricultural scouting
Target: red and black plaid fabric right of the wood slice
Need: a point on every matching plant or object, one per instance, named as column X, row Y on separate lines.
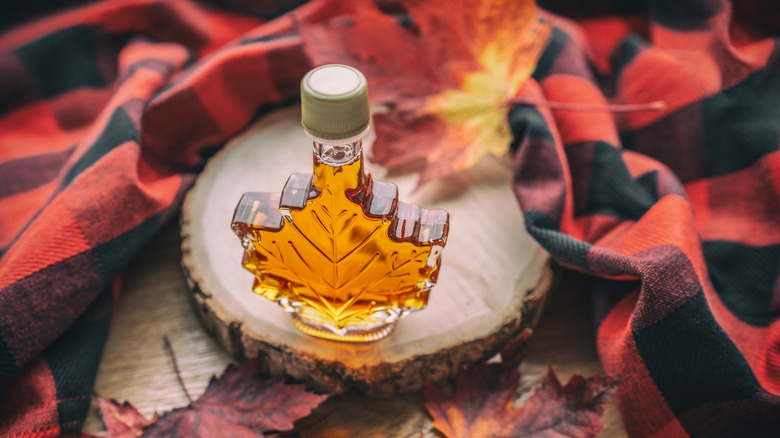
column 677, row 212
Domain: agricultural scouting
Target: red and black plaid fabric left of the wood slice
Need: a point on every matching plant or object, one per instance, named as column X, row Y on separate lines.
column 106, row 114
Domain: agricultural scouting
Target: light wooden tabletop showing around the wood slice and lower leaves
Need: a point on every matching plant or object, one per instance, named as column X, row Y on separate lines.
column 155, row 302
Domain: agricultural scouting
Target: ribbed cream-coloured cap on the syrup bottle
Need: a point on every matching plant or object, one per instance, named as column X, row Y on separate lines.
column 334, row 102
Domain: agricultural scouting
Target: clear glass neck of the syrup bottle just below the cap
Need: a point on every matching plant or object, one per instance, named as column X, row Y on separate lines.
column 338, row 165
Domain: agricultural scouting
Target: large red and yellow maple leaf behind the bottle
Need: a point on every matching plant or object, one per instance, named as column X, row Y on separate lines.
column 447, row 80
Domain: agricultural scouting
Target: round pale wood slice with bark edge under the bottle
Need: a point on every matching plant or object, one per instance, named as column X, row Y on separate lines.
column 493, row 280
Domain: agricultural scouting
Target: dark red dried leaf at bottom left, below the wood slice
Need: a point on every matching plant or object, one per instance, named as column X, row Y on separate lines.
column 240, row 403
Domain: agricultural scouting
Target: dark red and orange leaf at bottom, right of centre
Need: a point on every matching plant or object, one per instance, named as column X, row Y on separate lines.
column 483, row 404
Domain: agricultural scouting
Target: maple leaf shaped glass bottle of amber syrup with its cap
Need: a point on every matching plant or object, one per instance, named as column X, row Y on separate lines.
column 337, row 249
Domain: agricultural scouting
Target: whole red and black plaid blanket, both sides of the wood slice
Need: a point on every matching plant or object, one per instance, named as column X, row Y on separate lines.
column 109, row 110
